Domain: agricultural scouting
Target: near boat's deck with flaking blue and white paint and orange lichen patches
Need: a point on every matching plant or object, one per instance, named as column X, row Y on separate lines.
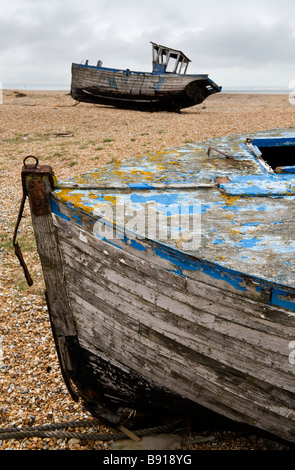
column 232, row 212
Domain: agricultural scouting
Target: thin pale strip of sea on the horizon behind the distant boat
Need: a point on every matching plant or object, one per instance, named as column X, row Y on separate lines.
column 225, row 89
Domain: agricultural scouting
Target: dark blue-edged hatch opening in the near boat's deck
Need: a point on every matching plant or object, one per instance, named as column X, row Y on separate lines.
column 277, row 153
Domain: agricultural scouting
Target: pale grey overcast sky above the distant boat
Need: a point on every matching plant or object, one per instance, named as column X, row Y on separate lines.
column 236, row 44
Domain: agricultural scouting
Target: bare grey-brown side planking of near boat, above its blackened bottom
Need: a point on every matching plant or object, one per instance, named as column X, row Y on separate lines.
column 171, row 341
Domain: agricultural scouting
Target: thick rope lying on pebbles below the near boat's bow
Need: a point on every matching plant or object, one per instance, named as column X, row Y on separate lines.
column 47, row 432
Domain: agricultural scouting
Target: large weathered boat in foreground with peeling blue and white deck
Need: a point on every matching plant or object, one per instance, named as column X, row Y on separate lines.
column 170, row 280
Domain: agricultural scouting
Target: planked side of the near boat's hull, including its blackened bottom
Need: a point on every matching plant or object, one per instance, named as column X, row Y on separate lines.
column 147, row 346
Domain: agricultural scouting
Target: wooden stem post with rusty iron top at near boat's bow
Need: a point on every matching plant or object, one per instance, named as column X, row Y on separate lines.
column 38, row 183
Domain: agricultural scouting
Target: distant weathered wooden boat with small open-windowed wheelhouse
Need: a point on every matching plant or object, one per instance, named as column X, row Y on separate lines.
column 158, row 90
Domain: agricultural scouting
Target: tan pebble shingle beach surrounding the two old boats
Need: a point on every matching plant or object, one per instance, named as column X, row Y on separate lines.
column 32, row 389
